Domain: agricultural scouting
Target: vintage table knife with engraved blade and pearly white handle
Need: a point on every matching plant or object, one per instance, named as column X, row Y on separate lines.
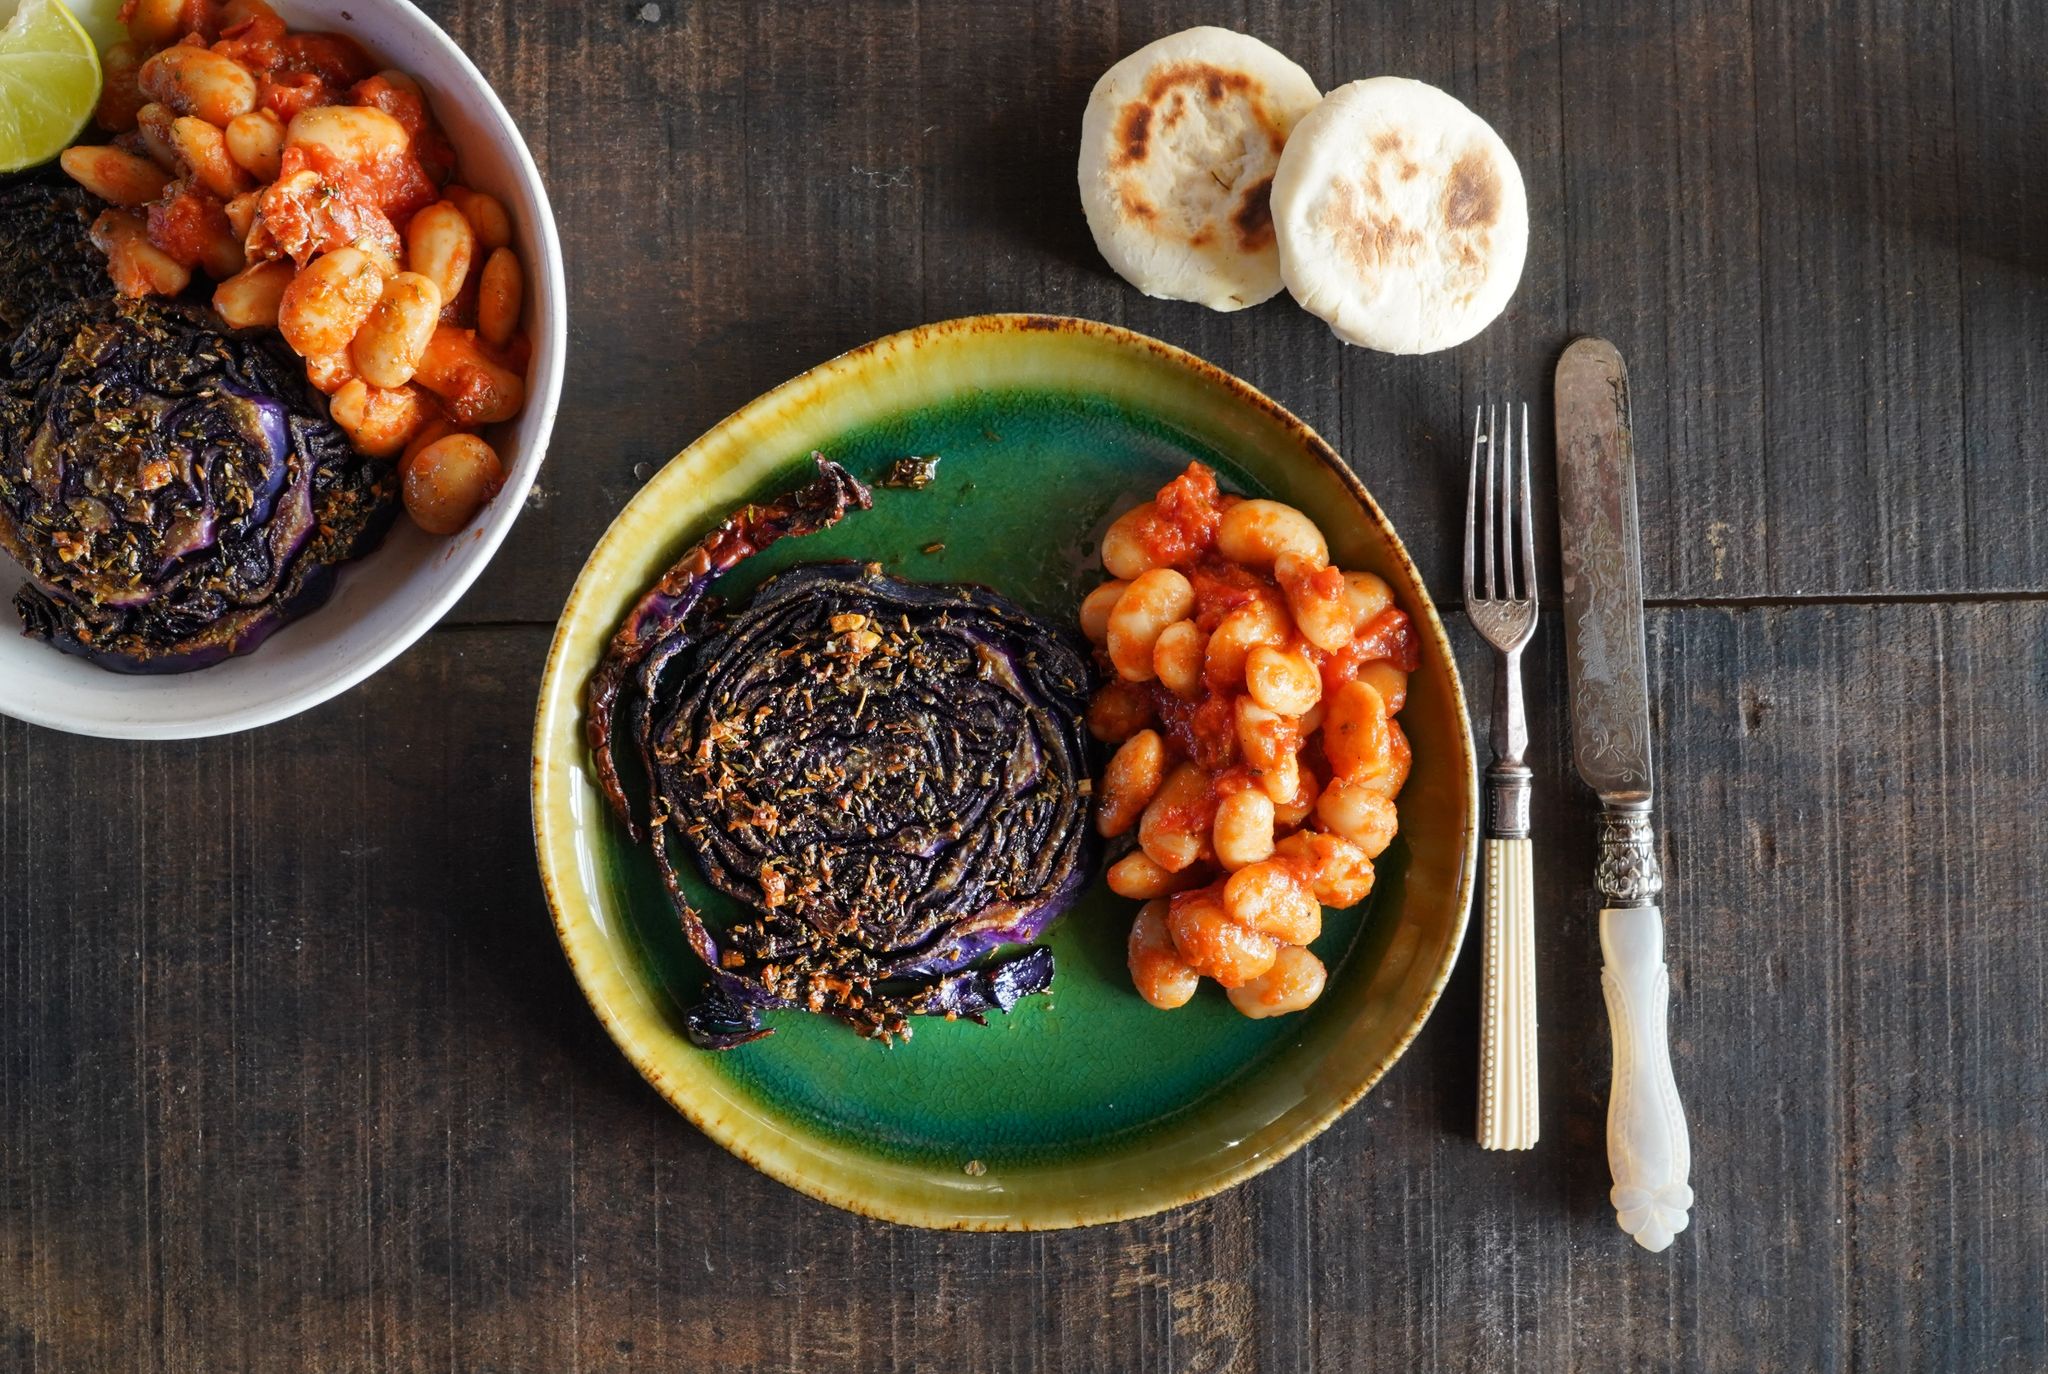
column 1650, row 1150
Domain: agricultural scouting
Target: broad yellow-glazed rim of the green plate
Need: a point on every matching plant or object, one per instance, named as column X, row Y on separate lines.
column 869, row 384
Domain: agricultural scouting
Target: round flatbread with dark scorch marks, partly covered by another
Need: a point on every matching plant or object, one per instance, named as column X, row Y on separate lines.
column 1179, row 153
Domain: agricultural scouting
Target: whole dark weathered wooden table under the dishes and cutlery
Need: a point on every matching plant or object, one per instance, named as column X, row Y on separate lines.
column 292, row 1070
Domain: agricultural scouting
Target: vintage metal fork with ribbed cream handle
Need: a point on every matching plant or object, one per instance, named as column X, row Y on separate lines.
column 1502, row 609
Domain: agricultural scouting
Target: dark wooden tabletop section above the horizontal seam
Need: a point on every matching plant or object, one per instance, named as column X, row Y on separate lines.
column 1811, row 239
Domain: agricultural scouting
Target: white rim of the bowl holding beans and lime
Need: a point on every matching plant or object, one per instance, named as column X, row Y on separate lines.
column 484, row 540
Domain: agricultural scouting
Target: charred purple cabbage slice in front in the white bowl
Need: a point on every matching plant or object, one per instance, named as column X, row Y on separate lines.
column 173, row 490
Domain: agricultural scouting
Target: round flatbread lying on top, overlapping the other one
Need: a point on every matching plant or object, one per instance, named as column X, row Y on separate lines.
column 1402, row 216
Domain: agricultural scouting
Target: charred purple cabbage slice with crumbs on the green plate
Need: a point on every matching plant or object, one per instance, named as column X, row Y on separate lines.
column 888, row 775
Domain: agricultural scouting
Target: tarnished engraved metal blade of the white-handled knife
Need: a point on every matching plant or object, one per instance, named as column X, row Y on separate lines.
column 1603, row 552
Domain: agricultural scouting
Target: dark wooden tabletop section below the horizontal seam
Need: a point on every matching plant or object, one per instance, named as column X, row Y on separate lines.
column 294, row 1074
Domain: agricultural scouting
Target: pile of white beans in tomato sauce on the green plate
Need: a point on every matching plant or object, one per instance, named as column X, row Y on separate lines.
column 1265, row 683
